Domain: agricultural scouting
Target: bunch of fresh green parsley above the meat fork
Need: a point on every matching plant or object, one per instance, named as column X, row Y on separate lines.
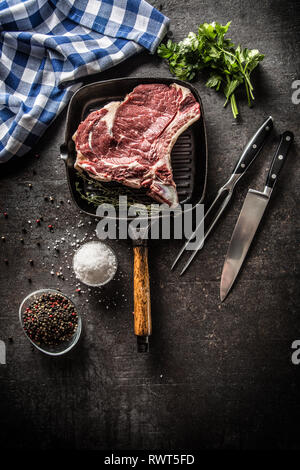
column 229, row 66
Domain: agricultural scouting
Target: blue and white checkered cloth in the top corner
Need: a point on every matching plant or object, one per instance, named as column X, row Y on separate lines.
column 46, row 45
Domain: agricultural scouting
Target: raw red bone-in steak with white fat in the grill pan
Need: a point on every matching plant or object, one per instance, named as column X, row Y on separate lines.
column 131, row 141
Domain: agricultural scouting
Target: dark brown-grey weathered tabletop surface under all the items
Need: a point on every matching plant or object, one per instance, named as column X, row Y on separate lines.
column 217, row 376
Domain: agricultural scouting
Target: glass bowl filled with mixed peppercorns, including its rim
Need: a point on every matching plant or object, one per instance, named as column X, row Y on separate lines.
column 50, row 321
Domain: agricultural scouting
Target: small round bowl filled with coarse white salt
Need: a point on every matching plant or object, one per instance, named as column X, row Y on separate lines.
column 94, row 263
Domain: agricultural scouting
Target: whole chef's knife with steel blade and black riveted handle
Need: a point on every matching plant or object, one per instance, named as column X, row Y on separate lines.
column 250, row 216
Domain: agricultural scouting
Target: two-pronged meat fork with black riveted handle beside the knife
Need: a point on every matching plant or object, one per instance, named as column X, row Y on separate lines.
column 226, row 191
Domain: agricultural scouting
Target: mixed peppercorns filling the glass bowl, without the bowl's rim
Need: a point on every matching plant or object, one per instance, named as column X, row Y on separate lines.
column 51, row 319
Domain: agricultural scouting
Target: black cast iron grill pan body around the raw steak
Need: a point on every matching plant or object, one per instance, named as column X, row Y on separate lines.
column 188, row 157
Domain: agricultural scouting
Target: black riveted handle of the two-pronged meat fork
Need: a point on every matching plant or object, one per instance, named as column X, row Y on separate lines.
column 254, row 146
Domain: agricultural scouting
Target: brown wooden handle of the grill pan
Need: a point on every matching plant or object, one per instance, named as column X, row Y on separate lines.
column 142, row 303
